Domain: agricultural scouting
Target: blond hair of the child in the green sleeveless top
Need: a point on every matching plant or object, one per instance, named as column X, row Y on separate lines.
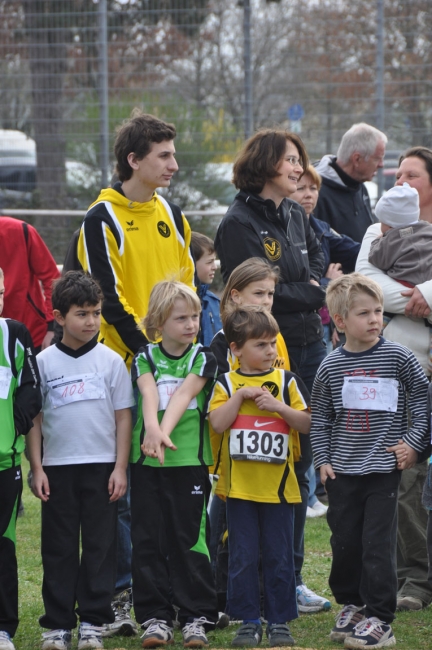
column 162, row 299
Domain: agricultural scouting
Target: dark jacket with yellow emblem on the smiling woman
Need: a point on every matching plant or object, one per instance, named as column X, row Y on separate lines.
column 253, row 227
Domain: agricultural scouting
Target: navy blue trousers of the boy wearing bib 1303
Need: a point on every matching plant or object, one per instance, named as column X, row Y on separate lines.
column 268, row 526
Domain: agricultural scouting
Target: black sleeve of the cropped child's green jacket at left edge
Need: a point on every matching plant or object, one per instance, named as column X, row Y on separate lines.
column 28, row 397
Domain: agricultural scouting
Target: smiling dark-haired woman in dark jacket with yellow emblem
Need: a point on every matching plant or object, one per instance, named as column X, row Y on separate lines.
column 263, row 222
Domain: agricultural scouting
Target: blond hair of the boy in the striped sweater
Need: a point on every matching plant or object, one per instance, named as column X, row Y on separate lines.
column 342, row 292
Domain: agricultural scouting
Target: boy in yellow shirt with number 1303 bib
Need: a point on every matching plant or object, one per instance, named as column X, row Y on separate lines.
column 254, row 408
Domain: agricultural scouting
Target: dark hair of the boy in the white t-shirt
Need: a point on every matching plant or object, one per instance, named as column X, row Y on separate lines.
column 75, row 288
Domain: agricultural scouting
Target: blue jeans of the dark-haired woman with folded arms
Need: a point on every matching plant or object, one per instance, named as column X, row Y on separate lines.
column 306, row 360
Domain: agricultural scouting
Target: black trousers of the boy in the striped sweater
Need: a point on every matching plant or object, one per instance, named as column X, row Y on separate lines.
column 362, row 516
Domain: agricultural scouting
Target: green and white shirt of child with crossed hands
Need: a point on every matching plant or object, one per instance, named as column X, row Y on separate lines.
column 190, row 436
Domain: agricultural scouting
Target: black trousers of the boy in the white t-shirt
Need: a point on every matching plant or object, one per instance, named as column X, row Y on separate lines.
column 78, row 503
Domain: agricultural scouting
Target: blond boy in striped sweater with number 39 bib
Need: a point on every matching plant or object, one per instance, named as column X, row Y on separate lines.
column 361, row 440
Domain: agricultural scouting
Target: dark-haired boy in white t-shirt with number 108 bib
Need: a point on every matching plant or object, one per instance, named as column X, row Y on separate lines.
column 86, row 428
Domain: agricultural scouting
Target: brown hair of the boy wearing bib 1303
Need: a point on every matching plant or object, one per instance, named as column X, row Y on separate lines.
column 249, row 322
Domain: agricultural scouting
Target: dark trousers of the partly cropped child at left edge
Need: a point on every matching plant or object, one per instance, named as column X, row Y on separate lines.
column 10, row 495
